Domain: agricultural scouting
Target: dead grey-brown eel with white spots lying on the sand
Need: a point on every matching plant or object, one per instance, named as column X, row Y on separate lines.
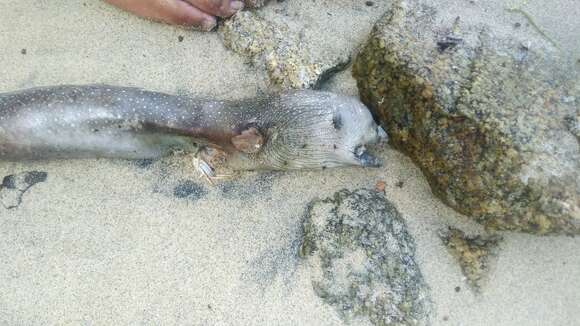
column 293, row 130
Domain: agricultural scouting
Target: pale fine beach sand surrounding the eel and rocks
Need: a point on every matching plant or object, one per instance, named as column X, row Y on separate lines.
column 110, row 242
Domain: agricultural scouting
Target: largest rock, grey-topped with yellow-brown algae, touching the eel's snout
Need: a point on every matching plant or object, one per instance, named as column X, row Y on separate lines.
column 492, row 122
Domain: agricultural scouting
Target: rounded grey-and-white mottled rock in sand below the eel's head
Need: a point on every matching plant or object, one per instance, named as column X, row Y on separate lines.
column 362, row 259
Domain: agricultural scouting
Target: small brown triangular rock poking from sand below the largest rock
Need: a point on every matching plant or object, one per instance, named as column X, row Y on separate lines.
column 473, row 253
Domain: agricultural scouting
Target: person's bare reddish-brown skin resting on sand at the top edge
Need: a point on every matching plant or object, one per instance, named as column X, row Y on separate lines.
column 197, row 13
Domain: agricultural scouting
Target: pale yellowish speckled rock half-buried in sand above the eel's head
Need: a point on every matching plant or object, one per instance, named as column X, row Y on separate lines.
column 278, row 48
